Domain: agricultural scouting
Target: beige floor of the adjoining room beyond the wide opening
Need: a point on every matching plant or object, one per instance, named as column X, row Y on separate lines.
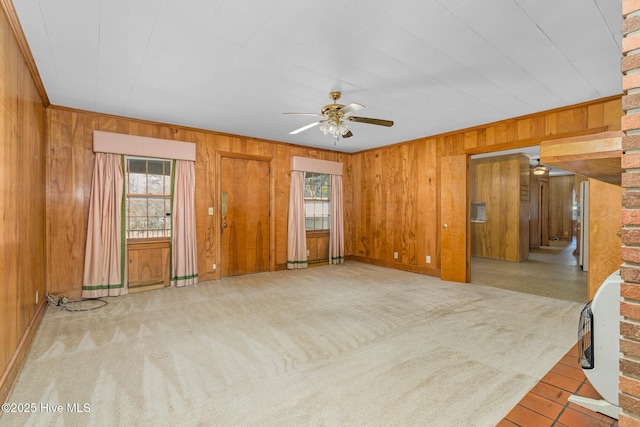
column 550, row 271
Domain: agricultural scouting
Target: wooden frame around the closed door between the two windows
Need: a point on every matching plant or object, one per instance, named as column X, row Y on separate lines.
column 217, row 211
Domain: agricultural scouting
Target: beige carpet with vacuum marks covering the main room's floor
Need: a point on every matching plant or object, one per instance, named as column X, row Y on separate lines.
column 349, row 345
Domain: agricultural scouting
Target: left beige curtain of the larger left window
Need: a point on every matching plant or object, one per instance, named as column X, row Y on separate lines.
column 104, row 266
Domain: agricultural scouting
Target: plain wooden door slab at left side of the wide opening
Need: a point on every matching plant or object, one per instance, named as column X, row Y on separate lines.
column 455, row 221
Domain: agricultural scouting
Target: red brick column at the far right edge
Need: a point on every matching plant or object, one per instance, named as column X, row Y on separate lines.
column 629, row 384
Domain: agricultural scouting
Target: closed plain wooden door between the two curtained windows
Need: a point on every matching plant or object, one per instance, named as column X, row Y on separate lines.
column 245, row 216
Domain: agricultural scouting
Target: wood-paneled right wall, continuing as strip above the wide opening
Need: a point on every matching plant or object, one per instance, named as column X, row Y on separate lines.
column 396, row 188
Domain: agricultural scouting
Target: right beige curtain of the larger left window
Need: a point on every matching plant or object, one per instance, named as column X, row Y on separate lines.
column 184, row 253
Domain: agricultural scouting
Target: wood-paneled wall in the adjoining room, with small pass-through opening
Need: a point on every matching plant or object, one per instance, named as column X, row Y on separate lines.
column 502, row 183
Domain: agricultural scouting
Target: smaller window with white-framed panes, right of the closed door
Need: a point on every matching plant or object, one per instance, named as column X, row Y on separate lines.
column 316, row 200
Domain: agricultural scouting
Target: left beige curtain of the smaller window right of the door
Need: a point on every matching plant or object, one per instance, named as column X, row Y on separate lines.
column 297, row 236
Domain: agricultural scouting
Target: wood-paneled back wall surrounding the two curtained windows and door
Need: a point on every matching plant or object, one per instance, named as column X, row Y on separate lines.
column 69, row 179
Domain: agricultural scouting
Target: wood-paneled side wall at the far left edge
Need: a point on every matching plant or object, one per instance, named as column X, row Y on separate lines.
column 22, row 207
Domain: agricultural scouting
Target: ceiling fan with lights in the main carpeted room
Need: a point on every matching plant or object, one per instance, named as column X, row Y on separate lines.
column 335, row 118
